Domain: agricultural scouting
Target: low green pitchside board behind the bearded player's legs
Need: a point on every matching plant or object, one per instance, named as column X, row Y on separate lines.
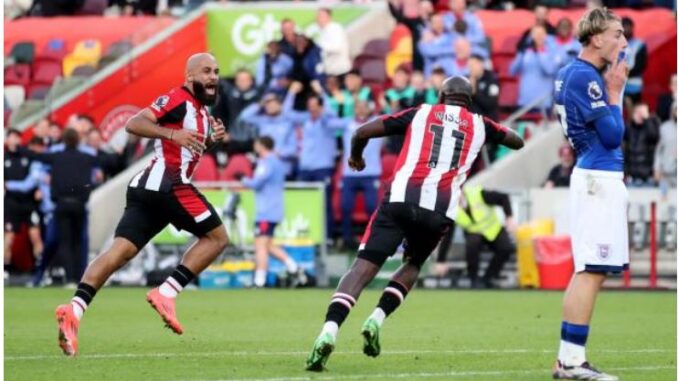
column 304, row 217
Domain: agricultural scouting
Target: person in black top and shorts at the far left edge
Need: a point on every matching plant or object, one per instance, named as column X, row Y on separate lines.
column 20, row 204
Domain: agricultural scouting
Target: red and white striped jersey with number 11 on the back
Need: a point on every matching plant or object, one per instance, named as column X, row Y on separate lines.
column 441, row 143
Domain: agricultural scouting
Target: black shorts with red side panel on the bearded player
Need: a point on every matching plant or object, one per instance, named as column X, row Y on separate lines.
column 148, row 212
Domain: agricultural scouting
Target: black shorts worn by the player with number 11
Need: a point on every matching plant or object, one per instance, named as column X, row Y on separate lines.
column 422, row 229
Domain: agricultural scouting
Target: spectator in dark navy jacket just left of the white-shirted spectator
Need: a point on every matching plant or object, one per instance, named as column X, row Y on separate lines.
column 307, row 68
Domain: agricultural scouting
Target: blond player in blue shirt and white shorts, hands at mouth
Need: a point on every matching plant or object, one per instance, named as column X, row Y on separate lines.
column 588, row 105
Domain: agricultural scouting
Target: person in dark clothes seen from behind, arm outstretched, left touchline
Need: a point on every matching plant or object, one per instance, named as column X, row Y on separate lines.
column 71, row 184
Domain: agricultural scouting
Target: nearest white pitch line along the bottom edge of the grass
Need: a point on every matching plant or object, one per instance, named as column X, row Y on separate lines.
column 470, row 373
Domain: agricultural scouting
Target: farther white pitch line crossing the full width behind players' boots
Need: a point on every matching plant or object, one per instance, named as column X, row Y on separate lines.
column 299, row 353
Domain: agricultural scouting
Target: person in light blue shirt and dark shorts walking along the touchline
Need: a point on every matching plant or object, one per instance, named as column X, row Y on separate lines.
column 268, row 184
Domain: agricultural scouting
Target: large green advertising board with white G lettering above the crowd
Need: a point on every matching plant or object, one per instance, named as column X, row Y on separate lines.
column 238, row 35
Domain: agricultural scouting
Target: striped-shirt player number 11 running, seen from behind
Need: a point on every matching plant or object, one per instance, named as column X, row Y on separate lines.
column 441, row 143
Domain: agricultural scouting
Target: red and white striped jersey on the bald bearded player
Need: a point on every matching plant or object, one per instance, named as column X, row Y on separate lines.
column 173, row 164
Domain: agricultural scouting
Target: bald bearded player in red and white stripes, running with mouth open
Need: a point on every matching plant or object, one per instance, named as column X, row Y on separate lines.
column 162, row 194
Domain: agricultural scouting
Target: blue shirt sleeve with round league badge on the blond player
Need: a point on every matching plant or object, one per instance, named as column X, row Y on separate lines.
column 585, row 91
